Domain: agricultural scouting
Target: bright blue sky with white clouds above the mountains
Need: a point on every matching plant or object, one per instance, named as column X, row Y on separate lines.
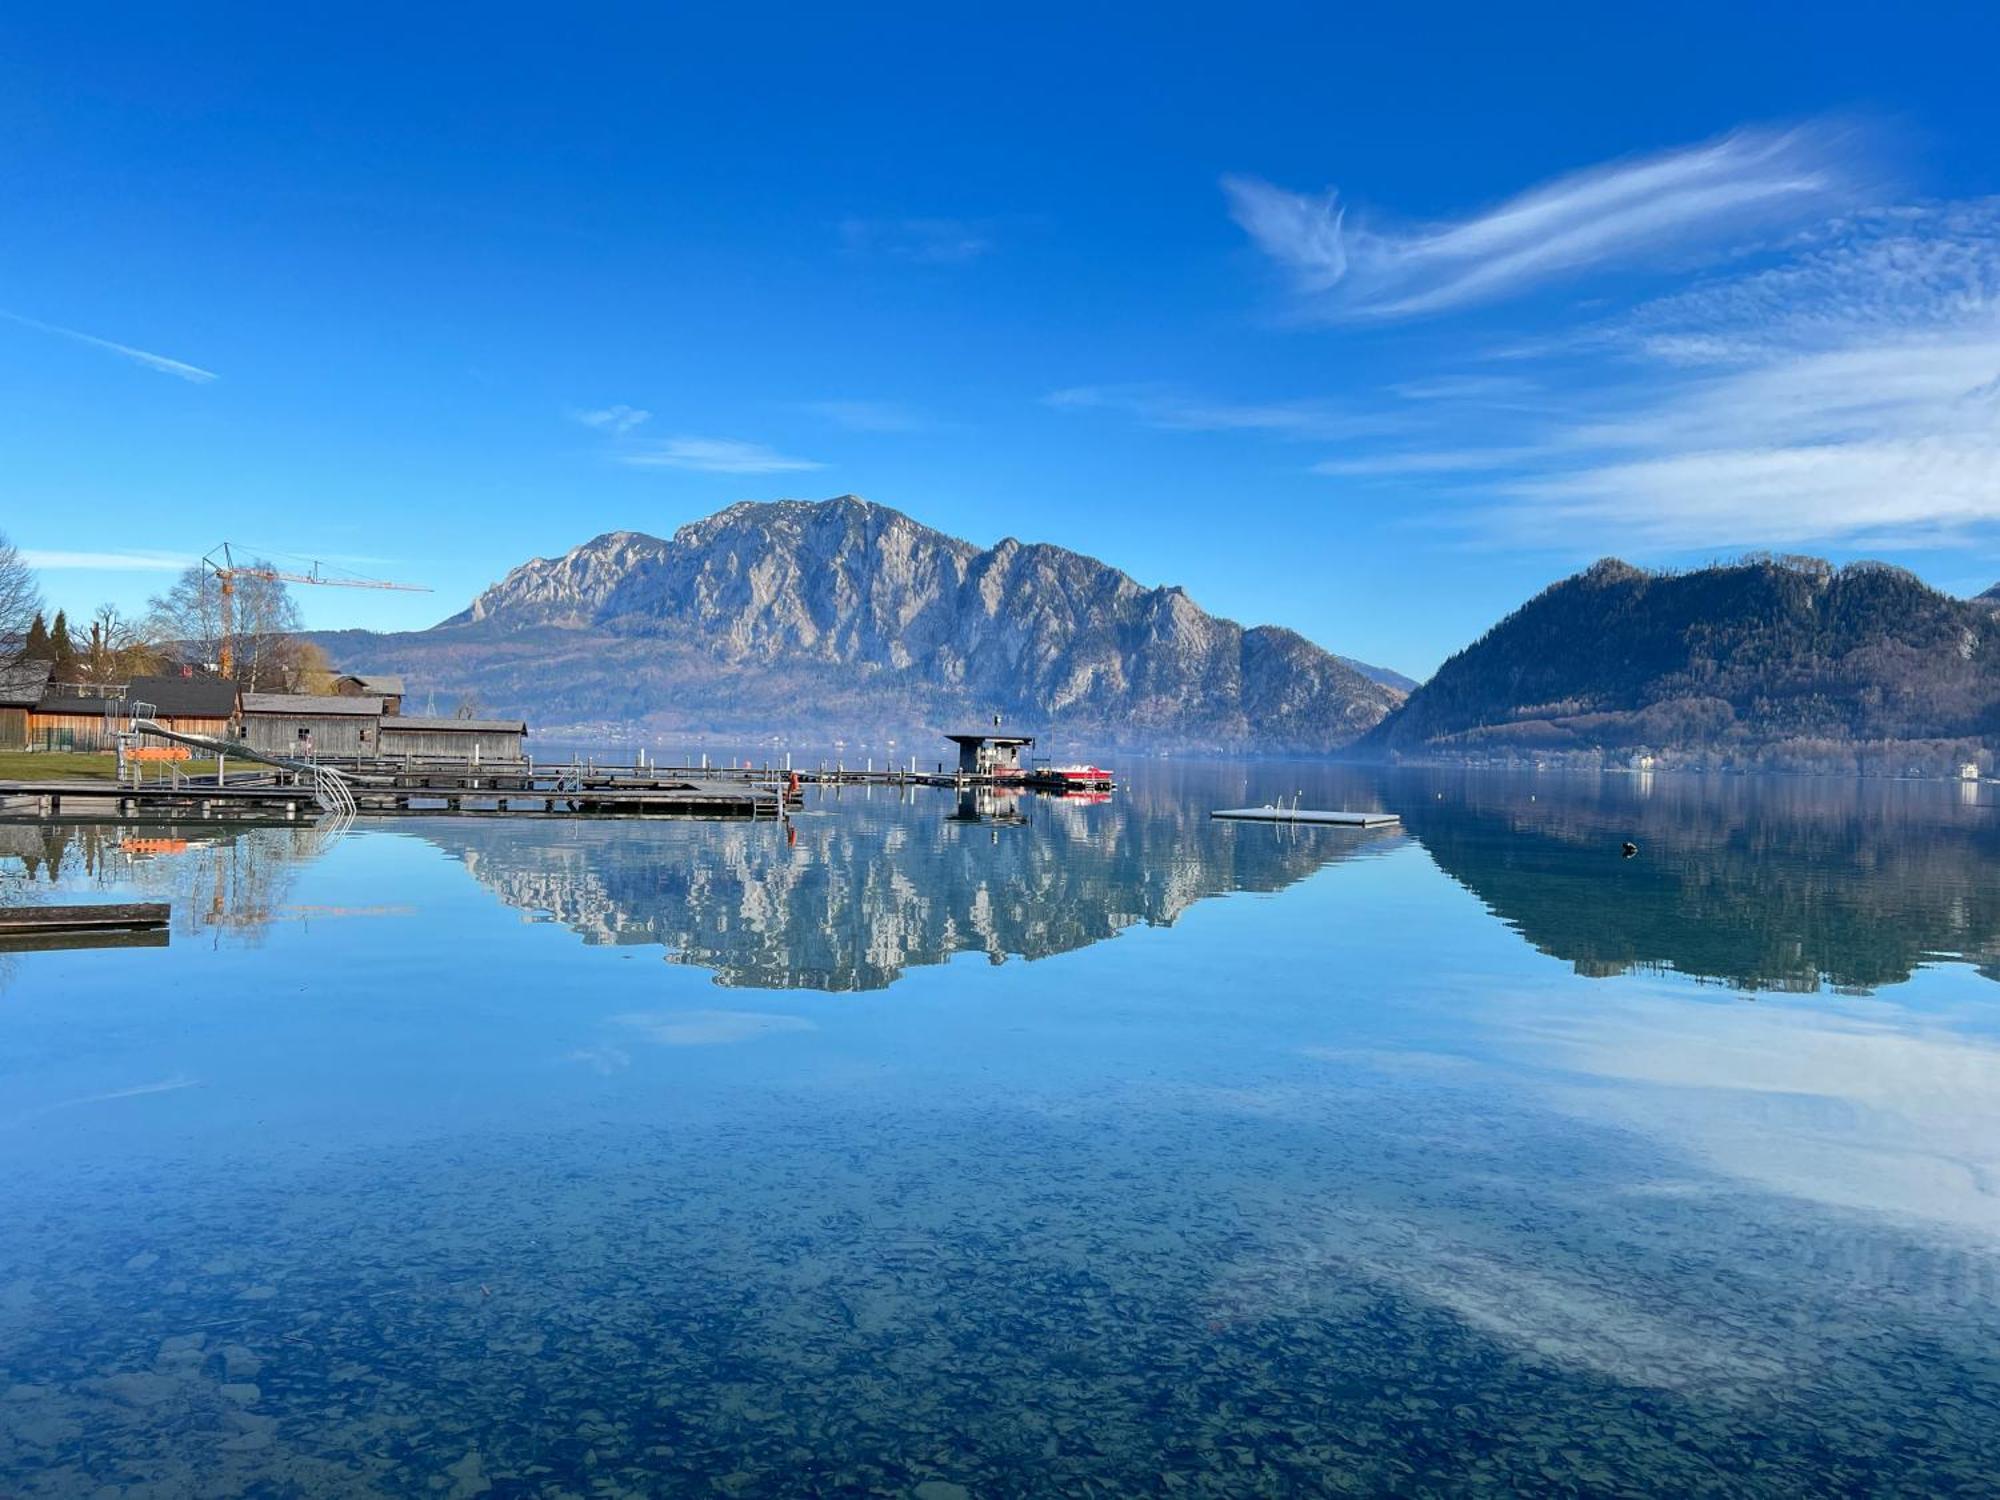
column 1369, row 325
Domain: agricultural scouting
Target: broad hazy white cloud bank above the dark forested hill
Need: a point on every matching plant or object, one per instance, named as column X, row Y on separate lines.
column 1849, row 393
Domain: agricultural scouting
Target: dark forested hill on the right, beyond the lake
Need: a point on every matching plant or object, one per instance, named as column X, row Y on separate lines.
column 1747, row 657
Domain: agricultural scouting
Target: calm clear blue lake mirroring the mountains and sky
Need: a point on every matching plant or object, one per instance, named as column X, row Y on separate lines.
column 689, row 1159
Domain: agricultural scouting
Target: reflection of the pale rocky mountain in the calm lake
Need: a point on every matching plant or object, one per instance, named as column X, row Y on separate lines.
column 867, row 885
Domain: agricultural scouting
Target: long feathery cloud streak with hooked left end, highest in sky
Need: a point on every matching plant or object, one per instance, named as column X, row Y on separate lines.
column 1645, row 211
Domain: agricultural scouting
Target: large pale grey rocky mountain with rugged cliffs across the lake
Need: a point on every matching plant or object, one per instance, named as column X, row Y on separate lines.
column 853, row 619
